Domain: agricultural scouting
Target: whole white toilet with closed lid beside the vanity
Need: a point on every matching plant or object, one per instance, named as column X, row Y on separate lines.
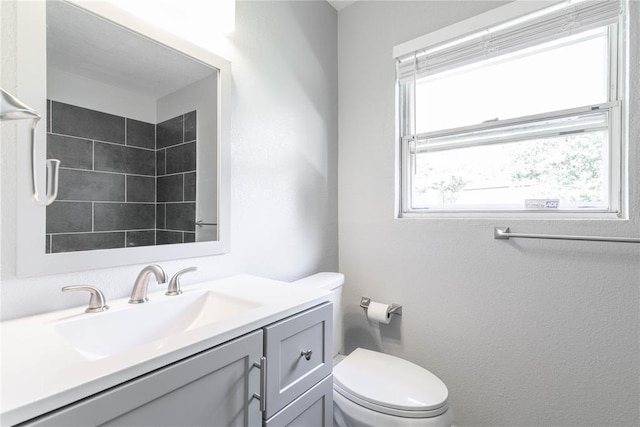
column 372, row 389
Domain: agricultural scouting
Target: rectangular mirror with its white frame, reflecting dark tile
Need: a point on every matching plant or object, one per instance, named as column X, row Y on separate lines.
column 136, row 117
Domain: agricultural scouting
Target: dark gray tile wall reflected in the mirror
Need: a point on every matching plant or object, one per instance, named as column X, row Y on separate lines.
column 123, row 182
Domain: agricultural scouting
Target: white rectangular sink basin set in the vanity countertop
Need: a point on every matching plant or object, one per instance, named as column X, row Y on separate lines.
column 100, row 335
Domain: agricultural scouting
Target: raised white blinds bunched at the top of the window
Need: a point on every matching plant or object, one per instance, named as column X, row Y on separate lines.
column 560, row 20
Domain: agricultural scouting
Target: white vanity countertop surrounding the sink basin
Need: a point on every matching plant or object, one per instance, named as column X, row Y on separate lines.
column 42, row 371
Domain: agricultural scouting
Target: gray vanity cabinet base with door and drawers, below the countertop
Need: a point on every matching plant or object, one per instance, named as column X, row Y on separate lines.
column 221, row 387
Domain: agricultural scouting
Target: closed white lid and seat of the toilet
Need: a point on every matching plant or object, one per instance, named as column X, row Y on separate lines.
column 390, row 385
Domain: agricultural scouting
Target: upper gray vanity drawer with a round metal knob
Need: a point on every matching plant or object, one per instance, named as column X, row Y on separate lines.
column 289, row 372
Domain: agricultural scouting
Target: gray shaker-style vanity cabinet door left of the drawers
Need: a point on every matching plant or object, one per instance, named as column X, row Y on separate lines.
column 213, row 388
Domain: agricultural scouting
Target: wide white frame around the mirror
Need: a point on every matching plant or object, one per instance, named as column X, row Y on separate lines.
column 32, row 89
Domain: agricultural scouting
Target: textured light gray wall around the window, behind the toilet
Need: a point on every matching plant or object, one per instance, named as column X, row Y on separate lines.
column 524, row 333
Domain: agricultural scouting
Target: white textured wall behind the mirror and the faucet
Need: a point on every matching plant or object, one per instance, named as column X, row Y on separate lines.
column 283, row 166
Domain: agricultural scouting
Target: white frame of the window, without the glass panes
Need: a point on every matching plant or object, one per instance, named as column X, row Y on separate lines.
column 617, row 179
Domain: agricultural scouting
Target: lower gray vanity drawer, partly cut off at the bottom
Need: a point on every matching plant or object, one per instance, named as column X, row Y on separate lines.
column 312, row 409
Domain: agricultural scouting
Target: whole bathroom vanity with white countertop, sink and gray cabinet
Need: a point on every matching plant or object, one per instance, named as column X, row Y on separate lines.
column 264, row 361
